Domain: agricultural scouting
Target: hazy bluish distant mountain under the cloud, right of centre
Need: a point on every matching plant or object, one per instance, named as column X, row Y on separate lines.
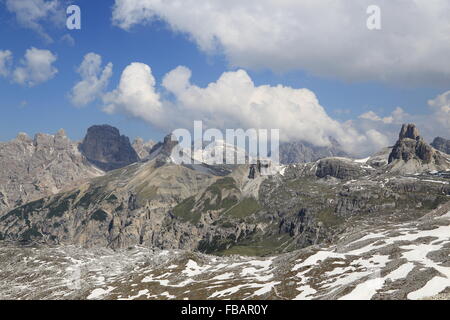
column 303, row 152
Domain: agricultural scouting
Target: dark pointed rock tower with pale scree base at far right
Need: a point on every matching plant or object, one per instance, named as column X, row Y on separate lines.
column 412, row 154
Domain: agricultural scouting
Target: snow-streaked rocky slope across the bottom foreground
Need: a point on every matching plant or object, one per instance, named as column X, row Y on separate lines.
column 402, row 261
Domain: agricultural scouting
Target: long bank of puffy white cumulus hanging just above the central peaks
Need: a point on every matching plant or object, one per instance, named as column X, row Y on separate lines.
column 233, row 101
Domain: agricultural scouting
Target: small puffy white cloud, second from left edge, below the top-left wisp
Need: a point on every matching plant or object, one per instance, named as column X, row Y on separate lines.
column 36, row 67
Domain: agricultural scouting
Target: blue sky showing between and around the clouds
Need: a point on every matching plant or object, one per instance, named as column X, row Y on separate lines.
column 46, row 107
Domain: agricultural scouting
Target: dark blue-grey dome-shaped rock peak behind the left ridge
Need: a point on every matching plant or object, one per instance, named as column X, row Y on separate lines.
column 104, row 147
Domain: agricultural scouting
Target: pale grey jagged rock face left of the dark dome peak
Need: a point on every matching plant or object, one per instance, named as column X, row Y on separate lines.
column 34, row 168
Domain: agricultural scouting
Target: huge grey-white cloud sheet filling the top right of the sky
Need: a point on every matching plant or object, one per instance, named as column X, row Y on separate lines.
column 326, row 38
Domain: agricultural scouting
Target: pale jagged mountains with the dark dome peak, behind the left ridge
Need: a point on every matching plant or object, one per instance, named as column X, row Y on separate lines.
column 49, row 164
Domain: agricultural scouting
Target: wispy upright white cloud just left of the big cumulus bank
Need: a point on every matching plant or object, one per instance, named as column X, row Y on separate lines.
column 93, row 80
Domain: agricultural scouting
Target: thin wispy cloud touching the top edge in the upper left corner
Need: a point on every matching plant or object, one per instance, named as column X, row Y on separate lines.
column 33, row 14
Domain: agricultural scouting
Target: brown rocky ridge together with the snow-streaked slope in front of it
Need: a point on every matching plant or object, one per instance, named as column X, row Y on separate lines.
column 332, row 228
